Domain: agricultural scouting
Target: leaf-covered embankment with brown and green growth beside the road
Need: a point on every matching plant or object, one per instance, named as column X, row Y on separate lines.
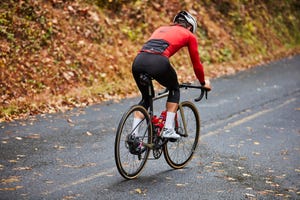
column 55, row 55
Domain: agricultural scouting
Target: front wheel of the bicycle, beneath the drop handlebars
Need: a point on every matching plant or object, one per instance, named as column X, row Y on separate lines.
column 178, row 153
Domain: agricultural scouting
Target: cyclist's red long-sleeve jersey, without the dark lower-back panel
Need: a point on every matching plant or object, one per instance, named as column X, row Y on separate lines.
column 177, row 37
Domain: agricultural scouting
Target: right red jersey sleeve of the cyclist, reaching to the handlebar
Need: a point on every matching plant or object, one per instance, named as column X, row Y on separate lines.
column 195, row 58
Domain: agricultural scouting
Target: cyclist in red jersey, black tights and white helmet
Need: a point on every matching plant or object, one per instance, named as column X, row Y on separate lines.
column 153, row 59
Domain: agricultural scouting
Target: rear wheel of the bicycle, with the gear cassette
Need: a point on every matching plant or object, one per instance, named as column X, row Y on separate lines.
column 130, row 155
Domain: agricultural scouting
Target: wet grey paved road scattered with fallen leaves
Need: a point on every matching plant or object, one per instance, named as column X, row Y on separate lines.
column 249, row 149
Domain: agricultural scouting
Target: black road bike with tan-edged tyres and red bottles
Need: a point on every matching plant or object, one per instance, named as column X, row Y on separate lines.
column 132, row 152
